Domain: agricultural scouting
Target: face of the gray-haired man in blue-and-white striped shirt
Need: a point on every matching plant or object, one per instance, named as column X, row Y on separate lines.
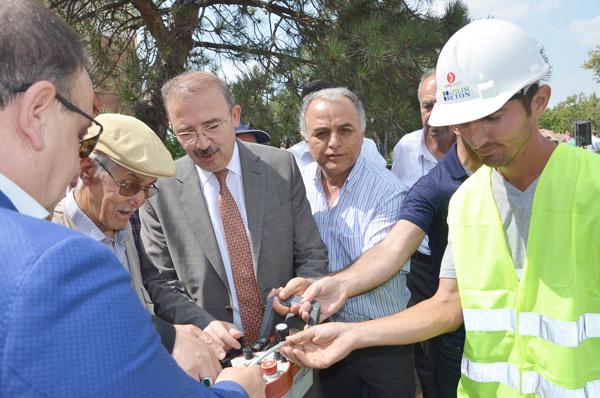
column 334, row 137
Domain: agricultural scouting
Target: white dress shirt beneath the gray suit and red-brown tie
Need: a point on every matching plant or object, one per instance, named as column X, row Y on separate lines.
column 210, row 188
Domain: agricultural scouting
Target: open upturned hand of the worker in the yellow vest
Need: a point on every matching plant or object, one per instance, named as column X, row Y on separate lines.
column 321, row 346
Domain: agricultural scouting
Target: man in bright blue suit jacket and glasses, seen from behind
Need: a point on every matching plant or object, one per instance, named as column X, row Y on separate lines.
column 71, row 324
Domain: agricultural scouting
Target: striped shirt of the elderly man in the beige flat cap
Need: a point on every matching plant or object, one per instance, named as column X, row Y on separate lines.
column 87, row 227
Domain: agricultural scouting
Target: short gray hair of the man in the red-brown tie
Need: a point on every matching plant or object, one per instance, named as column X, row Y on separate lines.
column 188, row 83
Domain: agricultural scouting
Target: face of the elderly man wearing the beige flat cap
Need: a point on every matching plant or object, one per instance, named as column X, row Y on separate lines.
column 107, row 208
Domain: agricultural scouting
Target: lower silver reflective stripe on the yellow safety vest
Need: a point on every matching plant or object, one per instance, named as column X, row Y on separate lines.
column 532, row 382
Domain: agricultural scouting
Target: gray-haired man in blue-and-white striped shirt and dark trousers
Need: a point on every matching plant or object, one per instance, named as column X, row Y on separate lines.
column 355, row 204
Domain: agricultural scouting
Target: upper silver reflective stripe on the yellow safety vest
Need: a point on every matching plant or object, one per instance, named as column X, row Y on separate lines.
column 568, row 334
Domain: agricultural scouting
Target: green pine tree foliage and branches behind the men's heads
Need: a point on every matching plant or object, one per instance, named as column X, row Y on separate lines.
column 377, row 48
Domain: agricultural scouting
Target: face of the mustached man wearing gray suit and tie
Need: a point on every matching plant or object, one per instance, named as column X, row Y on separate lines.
column 206, row 114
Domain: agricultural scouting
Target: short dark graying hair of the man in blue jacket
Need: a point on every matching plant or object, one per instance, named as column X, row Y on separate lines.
column 36, row 44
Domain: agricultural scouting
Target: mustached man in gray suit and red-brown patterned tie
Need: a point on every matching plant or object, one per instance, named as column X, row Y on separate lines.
column 190, row 266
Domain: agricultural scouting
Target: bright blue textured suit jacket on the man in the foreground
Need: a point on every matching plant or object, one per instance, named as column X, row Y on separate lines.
column 72, row 326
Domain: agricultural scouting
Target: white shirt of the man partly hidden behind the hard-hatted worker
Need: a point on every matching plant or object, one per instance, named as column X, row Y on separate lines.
column 412, row 160
